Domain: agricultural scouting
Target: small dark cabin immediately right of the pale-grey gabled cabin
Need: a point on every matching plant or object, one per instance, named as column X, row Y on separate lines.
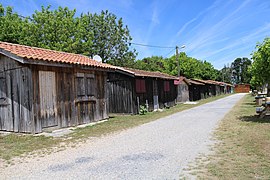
column 196, row 90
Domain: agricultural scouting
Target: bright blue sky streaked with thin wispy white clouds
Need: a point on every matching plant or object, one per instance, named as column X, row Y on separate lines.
column 216, row 31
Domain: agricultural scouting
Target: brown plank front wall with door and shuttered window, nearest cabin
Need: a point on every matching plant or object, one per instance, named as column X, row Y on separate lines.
column 80, row 97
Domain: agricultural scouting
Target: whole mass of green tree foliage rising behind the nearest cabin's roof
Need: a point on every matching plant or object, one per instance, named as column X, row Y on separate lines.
column 90, row 34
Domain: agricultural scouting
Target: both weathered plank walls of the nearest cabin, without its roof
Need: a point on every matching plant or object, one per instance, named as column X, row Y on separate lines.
column 33, row 97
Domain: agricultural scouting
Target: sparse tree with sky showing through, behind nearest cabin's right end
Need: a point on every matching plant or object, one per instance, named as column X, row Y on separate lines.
column 111, row 38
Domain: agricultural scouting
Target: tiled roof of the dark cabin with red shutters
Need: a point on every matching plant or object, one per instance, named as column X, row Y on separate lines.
column 142, row 73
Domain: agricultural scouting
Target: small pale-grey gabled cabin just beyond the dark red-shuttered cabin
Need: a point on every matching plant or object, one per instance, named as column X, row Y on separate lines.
column 182, row 88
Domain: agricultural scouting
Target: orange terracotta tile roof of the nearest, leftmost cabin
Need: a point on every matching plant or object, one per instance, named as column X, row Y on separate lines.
column 34, row 53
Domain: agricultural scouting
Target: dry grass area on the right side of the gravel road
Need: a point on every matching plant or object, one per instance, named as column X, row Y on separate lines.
column 243, row 151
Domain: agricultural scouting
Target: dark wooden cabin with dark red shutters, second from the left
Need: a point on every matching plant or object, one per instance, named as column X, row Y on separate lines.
column 128, row 89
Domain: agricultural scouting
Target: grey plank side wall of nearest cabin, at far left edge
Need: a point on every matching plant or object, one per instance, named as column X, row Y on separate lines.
column 16, row 97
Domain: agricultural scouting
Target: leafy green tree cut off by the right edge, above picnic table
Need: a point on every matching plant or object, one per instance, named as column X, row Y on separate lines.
column 261, row 65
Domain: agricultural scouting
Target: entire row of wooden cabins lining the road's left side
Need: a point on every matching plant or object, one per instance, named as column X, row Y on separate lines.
column 41, row 88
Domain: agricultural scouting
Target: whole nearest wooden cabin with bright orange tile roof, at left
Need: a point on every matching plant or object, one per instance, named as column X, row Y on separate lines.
column 41, row 88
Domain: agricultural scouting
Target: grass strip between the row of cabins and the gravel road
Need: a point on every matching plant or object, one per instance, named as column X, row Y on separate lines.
column 14, row 145
